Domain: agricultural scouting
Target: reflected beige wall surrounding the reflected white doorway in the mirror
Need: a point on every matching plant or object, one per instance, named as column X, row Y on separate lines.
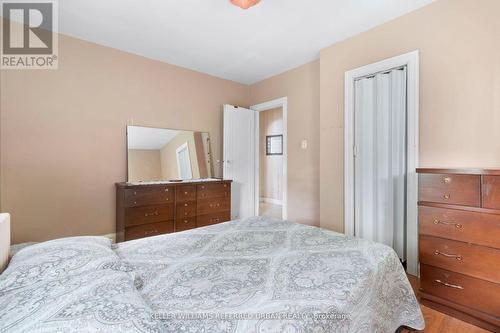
column 169, row 156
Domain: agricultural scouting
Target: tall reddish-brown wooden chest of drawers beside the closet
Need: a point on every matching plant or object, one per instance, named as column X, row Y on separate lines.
column 459, row 243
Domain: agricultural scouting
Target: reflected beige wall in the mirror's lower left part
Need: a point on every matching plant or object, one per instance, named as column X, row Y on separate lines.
column 144, row 165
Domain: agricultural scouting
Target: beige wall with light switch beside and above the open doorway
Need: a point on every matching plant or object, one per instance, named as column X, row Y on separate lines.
column 301, row 86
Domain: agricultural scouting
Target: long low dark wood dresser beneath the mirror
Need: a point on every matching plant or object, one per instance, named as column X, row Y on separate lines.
column 149, row 210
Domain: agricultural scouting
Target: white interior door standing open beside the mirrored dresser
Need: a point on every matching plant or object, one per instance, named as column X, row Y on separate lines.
column 239, row 159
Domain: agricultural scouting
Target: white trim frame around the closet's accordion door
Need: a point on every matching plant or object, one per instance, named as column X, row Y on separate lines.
column 411, row 61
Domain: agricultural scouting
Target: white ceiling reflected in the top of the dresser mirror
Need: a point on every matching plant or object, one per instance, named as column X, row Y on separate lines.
column 148, row 138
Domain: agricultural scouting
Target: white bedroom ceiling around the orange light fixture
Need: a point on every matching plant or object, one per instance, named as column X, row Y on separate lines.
column 217, row 38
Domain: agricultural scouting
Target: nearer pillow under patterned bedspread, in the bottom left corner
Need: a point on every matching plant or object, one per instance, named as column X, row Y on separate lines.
column 94, row 301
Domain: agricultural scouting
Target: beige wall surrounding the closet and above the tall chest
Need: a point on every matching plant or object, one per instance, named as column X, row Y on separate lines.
column 459, row 89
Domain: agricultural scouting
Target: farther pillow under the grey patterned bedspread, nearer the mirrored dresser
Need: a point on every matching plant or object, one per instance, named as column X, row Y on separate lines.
column 54, row 260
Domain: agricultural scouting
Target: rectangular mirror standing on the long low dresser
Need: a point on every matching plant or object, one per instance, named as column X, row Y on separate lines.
column 156, row 154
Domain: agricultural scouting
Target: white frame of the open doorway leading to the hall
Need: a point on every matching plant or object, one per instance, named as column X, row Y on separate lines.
column 276, row 103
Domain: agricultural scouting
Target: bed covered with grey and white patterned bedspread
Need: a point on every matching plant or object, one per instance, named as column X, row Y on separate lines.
column 252, row 275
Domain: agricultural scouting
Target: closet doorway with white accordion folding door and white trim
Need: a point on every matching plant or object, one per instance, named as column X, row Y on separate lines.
column 381, row 154
